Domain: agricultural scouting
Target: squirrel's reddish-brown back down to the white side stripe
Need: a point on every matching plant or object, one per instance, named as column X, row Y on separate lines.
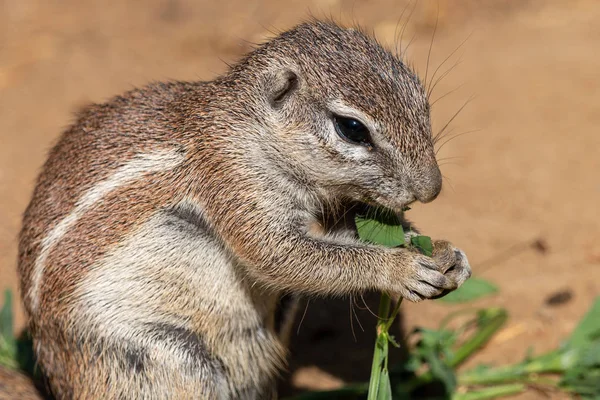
column 90, row 152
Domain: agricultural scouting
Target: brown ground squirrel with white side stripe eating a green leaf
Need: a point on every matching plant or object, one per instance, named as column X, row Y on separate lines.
column 167, row 221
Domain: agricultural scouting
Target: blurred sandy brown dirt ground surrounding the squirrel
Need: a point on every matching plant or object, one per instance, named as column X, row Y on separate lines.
column 530, row 173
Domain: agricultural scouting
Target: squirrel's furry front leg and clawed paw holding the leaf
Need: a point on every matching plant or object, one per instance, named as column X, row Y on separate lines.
column 278, row 253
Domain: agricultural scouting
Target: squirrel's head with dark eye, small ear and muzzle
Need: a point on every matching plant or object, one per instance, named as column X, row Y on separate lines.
column 344, row 116
